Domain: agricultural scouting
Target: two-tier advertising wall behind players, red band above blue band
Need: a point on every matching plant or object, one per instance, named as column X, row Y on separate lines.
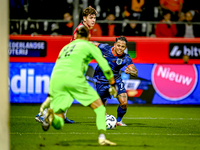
column 163, row 78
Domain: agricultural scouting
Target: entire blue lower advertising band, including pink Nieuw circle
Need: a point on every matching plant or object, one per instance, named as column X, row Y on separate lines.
column 155, row 84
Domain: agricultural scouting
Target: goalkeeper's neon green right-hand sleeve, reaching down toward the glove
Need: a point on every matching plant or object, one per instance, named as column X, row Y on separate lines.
column 102, row 62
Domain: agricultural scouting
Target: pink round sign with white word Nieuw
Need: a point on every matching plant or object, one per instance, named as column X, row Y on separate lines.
column 174, row 82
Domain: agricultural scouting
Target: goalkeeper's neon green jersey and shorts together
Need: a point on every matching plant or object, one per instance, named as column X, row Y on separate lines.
column 68, row 81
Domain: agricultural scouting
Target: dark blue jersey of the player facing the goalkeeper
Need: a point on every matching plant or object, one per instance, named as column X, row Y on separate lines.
column 115, row 62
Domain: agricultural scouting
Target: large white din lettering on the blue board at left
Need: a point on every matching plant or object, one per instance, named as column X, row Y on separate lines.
column 28, row 82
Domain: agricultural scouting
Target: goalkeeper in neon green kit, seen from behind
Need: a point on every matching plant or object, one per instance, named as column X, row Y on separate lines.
column 68, row 83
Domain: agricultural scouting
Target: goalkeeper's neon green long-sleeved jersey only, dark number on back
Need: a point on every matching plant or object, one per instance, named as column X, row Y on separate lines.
column 75, row 57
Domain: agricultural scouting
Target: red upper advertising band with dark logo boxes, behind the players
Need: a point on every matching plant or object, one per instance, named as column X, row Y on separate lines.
column 148, row 50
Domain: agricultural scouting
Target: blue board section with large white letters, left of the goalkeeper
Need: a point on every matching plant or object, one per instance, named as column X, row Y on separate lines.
column 29, row 82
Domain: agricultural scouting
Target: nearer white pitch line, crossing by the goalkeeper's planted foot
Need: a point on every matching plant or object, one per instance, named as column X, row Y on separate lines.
column 87, row 133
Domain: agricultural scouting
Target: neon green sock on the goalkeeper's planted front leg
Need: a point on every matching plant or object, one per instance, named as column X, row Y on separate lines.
column 100, row 118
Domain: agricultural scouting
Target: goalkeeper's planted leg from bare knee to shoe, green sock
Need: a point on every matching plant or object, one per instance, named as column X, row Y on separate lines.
column 100, row 110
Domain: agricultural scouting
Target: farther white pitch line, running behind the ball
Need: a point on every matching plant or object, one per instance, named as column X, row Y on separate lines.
column 136, row 118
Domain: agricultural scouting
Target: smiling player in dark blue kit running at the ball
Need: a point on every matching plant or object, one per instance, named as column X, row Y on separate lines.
column 117, row 59
